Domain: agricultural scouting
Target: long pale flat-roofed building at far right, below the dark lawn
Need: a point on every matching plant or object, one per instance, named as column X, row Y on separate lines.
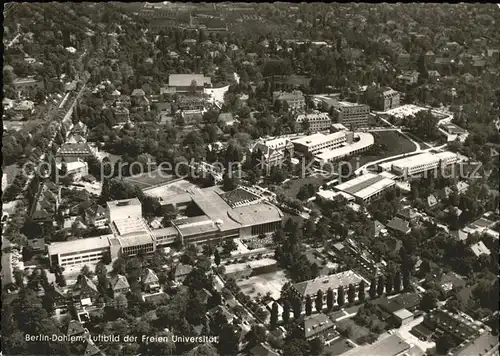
column 423, row 162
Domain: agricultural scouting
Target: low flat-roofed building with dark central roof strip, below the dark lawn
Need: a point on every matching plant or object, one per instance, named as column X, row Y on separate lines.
column 366, row 187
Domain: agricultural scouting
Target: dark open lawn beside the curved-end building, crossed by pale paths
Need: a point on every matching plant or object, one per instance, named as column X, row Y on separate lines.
column 394, row 144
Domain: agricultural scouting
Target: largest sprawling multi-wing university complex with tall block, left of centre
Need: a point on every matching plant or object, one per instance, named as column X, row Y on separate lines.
column 131, row 235
